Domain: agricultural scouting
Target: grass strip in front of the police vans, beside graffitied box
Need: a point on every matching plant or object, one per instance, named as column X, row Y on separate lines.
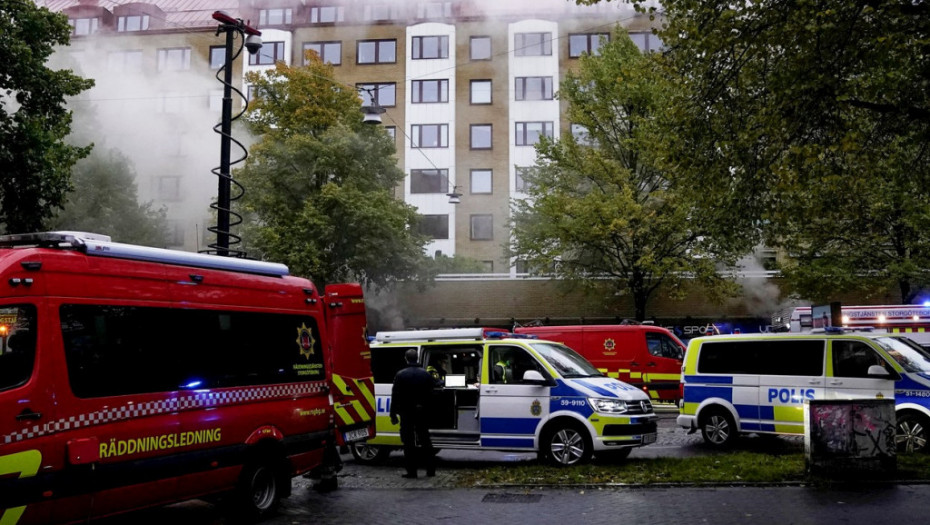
column 736, row 467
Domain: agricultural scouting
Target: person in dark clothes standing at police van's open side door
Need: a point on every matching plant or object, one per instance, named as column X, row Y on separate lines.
column 413, row 387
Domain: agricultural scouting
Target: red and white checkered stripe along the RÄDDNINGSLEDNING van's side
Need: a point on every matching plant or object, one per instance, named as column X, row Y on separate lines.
column 186, row 401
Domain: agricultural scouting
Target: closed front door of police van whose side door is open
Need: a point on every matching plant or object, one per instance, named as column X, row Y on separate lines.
column 511, row 411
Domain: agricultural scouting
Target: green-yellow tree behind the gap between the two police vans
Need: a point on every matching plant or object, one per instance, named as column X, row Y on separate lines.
column 600, row 205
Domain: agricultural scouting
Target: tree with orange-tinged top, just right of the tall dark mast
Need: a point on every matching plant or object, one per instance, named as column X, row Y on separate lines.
column 319, row 183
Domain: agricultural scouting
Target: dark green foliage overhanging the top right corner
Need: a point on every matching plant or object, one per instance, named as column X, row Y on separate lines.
column 807, row 124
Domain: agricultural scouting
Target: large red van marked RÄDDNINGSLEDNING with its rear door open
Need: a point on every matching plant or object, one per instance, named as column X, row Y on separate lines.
column 134, row 376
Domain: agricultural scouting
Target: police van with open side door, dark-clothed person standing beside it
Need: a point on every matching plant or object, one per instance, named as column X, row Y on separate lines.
column 500, row 391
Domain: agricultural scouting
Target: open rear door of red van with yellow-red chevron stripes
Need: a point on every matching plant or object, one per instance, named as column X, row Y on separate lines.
column 353, row 387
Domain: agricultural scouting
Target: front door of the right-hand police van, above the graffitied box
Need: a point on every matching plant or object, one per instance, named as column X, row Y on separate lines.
column 849, row 379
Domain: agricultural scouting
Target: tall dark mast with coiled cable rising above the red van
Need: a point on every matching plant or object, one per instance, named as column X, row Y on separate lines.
column 232, row 27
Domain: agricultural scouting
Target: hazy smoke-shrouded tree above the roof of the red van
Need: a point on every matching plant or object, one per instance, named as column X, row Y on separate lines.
column 105, row 201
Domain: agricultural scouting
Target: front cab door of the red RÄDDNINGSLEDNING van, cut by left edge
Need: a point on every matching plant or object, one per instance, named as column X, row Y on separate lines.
column 26, row 409
